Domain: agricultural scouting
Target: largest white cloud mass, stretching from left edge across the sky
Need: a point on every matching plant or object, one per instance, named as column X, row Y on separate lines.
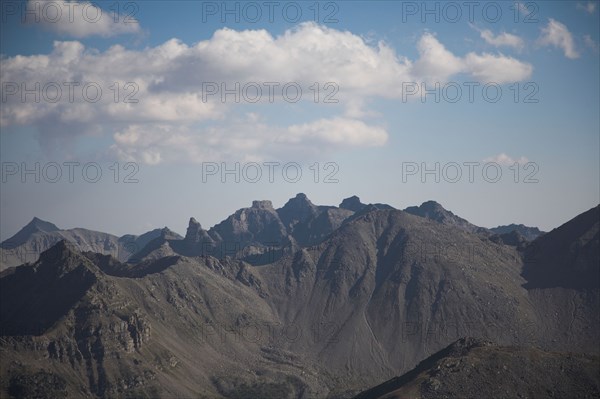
column 160, row 100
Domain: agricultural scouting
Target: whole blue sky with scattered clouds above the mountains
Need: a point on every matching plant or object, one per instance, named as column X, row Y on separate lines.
column 376, row 139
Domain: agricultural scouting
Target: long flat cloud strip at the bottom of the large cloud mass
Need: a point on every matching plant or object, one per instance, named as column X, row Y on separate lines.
column 153, row 144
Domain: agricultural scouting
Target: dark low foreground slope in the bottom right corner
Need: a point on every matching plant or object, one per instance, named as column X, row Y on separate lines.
column 471, row 368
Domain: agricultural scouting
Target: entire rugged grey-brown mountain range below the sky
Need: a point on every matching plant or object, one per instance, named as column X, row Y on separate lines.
column 306, row 301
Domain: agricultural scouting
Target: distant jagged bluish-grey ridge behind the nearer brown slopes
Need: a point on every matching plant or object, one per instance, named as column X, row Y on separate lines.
column 255, row 234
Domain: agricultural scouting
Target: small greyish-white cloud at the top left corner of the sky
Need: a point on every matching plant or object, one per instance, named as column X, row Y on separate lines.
column 81, row 19
